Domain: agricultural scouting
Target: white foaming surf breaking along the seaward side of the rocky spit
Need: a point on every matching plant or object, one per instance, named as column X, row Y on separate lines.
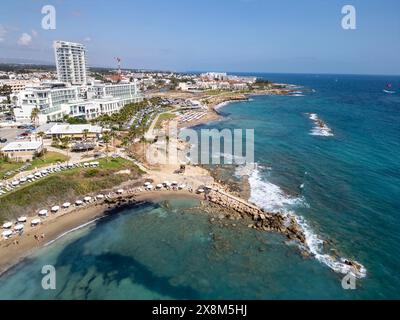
column 273, row 199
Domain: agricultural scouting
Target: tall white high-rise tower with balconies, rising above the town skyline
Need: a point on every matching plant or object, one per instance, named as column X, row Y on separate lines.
column 70, row 62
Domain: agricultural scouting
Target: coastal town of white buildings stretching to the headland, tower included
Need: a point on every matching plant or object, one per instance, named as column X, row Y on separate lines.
column 72, row 100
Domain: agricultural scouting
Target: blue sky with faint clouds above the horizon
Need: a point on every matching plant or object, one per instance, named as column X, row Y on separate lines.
column 285, row 36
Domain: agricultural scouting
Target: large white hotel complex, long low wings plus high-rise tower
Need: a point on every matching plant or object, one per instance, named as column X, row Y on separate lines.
column 58, row 99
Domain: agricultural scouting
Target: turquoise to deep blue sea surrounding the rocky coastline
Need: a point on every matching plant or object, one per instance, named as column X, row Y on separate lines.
column 341, row 181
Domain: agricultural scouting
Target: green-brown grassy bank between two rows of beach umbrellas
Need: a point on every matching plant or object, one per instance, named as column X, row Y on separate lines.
column 65, row 186
